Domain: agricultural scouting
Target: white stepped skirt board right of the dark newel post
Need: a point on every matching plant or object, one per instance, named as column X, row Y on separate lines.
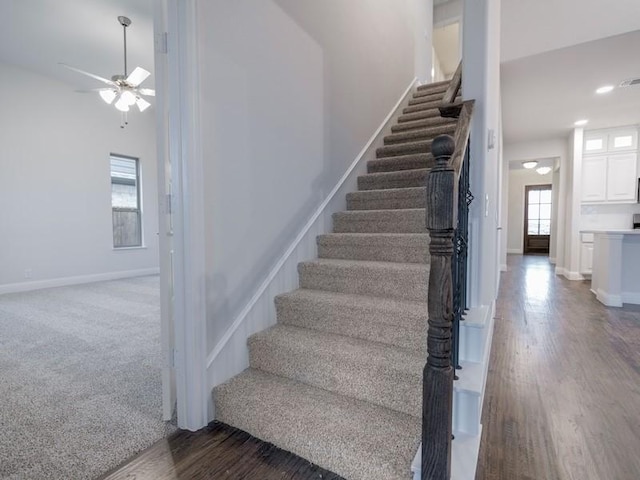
column 468, row 398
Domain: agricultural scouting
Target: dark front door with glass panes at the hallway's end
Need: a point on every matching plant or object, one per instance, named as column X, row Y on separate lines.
column 537, row 219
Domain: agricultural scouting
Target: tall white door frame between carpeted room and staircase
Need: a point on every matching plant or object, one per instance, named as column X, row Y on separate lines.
column 189, row 273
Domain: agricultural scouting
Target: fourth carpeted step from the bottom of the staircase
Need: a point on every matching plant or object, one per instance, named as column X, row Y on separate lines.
column 403, row 281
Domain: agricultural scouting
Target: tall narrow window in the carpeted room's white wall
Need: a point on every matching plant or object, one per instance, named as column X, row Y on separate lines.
column 125, row 202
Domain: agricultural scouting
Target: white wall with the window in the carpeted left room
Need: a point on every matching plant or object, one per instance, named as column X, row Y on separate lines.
column 55, row 191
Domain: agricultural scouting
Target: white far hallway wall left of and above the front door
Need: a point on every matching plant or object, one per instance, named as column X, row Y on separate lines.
column 518, row 180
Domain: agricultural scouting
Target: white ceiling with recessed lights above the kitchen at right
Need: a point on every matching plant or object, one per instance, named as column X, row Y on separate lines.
column 543, row 95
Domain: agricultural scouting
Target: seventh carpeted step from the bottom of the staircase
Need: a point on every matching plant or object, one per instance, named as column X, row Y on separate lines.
column 387, row 199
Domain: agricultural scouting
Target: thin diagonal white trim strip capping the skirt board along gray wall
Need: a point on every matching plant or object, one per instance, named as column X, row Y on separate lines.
column 319, row 211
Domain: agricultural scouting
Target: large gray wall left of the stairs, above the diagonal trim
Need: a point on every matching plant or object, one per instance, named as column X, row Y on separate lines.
column 291, row 90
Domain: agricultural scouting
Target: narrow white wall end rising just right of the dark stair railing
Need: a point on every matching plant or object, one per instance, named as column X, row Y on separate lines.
column 481, row 81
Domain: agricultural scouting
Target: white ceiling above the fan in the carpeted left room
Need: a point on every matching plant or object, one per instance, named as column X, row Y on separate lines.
column 38, row 34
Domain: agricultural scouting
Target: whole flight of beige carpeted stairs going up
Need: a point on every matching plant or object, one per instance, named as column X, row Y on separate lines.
column 338, row 380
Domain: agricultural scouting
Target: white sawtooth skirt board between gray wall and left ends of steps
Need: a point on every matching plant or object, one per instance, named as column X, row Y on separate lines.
column 230, row 355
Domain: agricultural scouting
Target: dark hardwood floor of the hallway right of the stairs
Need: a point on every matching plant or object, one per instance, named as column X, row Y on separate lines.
column 563, row 394
